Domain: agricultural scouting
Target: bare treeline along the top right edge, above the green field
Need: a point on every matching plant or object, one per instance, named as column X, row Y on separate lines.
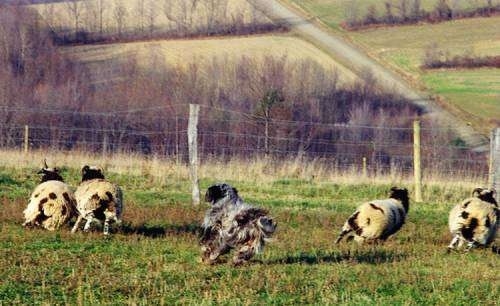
column 402, row 12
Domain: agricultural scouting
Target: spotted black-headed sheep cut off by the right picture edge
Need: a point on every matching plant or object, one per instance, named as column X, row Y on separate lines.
column 475, row 220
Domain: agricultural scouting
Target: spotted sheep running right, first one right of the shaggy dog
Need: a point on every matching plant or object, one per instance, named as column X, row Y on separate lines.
column 377, row 220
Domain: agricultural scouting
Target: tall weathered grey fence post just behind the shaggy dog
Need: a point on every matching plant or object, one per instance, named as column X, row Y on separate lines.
column 194, row 110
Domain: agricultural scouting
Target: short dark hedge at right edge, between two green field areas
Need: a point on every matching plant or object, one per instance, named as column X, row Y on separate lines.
column 436, row 58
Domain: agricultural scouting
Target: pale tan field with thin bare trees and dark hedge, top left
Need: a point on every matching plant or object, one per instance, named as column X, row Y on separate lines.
column 101, row 21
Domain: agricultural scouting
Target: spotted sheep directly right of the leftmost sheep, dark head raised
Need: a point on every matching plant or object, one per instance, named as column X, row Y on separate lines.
column 97, row 200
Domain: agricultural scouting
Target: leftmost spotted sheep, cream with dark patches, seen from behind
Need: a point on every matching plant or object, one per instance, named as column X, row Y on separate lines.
column 52, row 203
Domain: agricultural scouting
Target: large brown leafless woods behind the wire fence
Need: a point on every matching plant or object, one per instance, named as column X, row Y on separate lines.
column 249, row 106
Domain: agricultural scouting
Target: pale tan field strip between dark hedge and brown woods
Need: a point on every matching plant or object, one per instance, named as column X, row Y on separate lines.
column 203, row 52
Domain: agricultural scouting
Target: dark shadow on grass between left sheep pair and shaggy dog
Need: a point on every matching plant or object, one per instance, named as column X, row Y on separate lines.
column 159, row 231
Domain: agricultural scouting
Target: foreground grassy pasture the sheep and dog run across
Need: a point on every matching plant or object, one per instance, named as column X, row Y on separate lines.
column 154, row 258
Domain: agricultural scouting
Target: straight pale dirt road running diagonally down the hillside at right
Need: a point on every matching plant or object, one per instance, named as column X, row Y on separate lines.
column 357, row 61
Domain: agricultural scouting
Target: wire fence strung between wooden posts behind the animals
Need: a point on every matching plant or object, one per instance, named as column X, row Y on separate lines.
column 226, row 134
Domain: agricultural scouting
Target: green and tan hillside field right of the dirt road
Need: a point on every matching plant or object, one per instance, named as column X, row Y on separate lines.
column 403, row 49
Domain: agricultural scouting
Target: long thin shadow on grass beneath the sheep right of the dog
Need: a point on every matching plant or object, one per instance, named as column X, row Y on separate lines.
column 371, row 256
